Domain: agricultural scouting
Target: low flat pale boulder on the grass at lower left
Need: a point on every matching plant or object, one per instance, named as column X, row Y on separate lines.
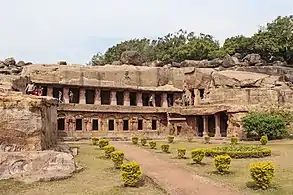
column 35, row 166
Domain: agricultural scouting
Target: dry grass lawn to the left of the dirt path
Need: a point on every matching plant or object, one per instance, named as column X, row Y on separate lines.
column 98, row 177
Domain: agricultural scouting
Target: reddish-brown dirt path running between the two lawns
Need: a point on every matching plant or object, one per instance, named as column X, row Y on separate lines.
column 173, row 178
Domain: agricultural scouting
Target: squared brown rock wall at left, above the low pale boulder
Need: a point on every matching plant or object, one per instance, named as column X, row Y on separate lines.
column 27, row 122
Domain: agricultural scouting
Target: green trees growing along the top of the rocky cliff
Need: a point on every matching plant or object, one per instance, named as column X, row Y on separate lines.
column 274, row 41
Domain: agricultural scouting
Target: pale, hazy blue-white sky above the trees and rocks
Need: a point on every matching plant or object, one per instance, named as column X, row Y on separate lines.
column 43, row 31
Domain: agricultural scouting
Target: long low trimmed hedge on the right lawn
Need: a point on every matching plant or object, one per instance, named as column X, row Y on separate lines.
column 239, row 151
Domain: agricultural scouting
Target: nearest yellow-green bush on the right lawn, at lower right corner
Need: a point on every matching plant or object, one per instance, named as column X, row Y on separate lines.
column 262, row 173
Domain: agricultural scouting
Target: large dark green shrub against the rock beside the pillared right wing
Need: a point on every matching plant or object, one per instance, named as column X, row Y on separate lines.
column 272, row 125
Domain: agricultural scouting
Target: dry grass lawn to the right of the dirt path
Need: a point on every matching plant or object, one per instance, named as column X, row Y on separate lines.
column 282, row 157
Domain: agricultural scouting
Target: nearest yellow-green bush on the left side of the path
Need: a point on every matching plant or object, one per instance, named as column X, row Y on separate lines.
column 131, row 174
